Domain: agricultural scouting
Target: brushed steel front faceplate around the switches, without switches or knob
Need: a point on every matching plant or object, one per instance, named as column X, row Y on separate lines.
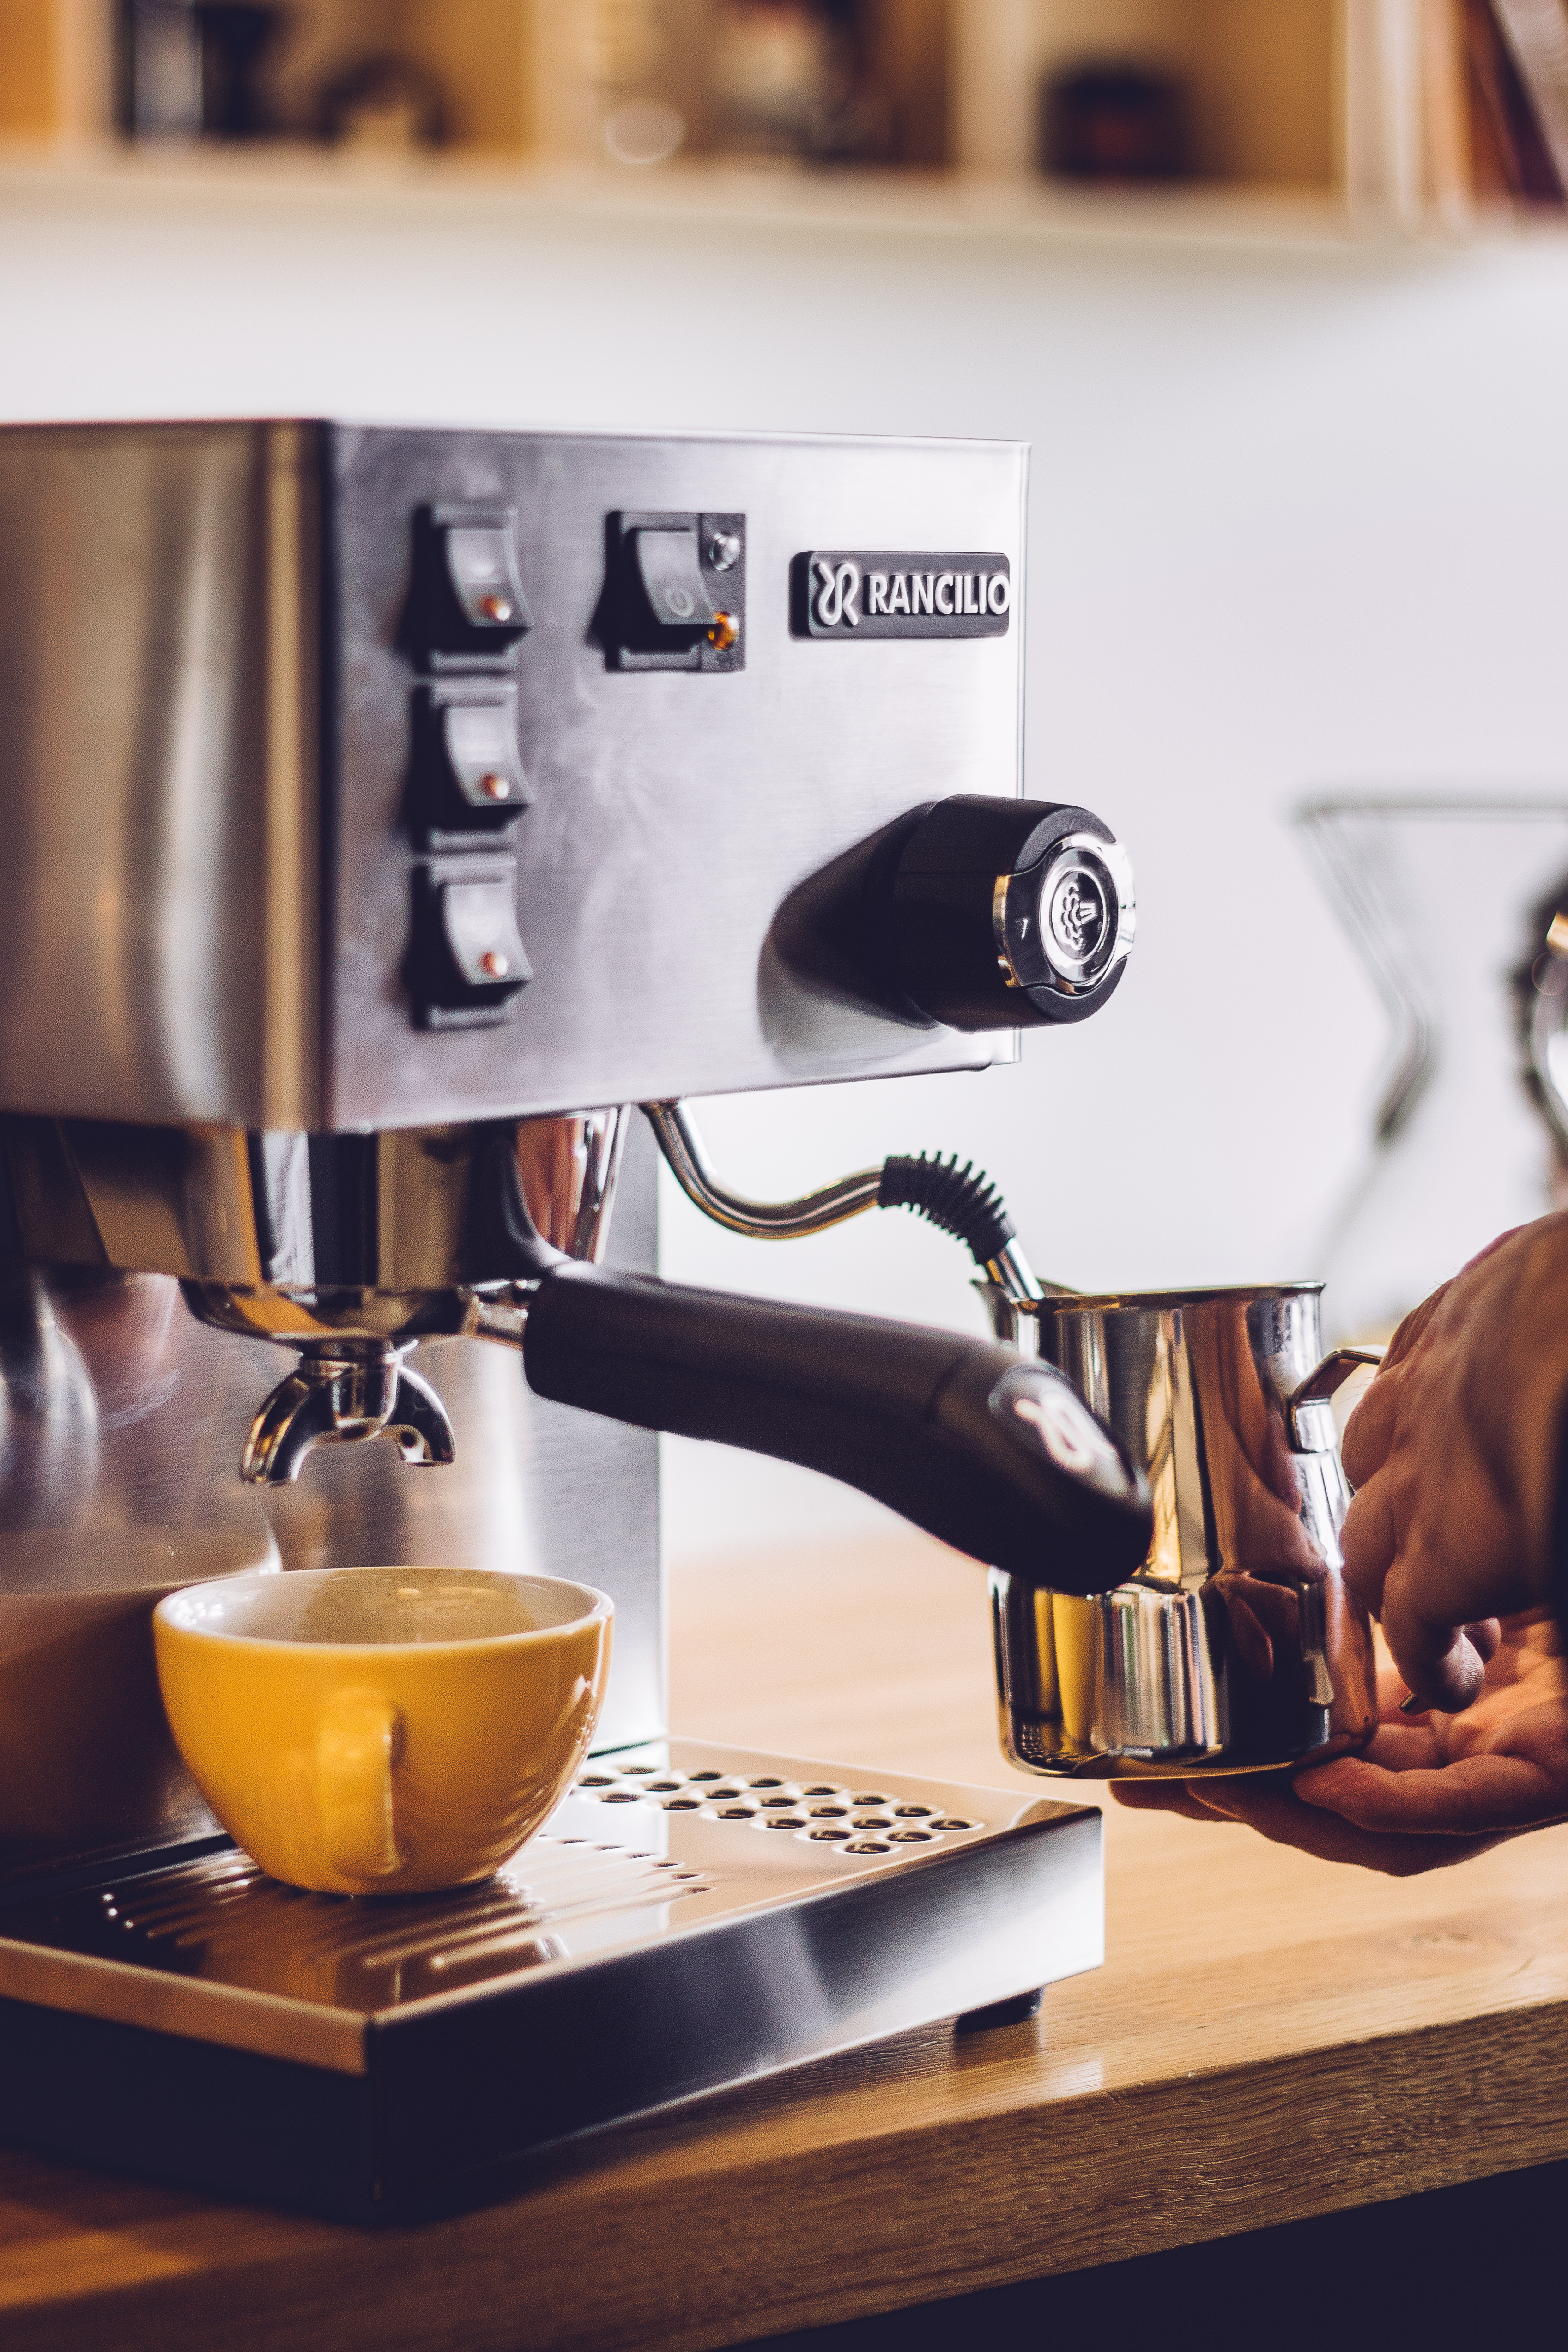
column 671, row 813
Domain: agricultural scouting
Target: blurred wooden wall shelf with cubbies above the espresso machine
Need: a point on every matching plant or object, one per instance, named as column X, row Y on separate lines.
column 1311, row 123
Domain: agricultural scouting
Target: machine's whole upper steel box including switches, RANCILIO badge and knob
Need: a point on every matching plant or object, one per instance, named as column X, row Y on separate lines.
column 431, row 657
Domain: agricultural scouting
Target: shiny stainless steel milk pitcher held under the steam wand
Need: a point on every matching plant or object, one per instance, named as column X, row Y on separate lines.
column 1238, row 1643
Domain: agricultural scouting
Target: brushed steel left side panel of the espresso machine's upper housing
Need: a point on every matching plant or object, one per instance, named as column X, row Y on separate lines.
column 159, row 770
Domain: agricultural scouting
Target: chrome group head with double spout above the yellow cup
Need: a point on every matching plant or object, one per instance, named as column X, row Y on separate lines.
column 349, row 1248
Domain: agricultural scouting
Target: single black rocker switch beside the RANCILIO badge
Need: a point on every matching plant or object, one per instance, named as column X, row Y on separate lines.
column 676, row 594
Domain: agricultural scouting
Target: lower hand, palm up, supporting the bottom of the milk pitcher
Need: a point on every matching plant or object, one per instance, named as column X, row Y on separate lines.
column 1428, row 1791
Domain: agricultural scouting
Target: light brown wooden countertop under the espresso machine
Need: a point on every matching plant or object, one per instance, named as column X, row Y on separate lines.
column 1271, row 2038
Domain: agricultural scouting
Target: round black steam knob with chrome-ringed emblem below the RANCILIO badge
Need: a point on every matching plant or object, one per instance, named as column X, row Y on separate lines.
column 1003, row 914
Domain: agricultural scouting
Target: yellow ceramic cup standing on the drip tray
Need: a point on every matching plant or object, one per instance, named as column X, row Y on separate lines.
column 382, row 1730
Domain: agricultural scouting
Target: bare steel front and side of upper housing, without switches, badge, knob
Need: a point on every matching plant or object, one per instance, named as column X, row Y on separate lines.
column 166, row 808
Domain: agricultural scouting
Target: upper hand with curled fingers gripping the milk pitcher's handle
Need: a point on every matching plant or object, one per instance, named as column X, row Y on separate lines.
column 1454, row 1459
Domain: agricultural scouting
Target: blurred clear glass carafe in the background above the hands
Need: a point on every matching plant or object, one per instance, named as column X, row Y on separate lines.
column 1452, row 907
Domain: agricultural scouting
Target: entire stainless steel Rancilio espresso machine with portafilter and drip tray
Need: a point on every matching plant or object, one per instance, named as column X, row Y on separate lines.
column 403, row 829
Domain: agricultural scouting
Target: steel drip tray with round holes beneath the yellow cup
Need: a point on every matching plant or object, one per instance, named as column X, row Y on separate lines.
column 688, row 1920
